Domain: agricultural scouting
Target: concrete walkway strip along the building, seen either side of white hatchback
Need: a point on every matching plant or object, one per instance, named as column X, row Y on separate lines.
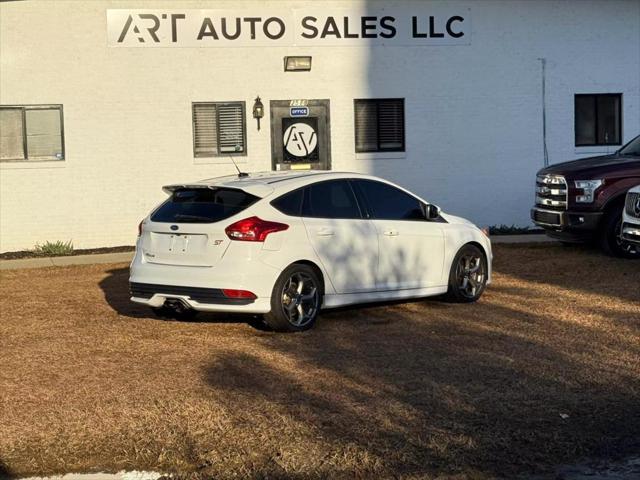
column 128, row 256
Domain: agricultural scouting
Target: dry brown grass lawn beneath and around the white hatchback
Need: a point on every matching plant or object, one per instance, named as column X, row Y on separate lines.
column 89, row 381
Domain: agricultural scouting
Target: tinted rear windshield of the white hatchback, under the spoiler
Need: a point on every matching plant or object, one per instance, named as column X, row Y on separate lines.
column 202, row 205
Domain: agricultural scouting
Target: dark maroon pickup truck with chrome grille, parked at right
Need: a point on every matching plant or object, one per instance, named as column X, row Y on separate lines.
column 583, row 200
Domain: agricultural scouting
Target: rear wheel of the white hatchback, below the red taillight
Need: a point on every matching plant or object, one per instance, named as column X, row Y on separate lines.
column 295, row 300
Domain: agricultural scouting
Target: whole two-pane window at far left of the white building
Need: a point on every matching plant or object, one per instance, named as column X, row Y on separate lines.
column 31, row 133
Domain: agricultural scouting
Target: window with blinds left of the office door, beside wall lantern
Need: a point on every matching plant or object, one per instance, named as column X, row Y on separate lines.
column 219, row 129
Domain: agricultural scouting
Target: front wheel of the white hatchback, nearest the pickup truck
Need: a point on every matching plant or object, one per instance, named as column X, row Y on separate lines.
column 468, row 275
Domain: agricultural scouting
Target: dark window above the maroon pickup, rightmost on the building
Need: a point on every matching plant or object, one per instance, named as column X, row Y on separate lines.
column 598, row 119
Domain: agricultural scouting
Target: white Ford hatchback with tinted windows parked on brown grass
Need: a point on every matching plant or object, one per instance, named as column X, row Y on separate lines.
column 286, row 244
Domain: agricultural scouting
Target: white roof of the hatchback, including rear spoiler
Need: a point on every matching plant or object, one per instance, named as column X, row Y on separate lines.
column 263, row 183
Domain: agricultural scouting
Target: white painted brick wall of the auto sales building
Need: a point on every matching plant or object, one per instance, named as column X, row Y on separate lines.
column 473, row 113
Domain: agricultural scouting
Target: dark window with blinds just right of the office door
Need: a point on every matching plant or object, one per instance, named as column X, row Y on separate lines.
column 379, row 125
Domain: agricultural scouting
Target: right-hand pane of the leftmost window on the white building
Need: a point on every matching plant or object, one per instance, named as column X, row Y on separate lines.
column 44, row 134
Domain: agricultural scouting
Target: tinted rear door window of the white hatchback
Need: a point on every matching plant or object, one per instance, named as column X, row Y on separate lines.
column 331, row 199
